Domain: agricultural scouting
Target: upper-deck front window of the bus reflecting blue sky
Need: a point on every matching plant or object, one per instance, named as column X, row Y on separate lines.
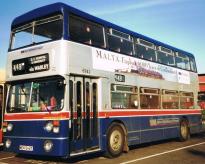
column 42, row 30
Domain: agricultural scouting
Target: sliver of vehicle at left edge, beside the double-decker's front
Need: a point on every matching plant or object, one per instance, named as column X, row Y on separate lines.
column 2, row 100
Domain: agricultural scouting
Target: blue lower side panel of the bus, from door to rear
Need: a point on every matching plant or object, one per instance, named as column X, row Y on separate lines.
column 150, row 128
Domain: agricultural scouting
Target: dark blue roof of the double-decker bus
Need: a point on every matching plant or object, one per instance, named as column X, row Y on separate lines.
column 65, row 9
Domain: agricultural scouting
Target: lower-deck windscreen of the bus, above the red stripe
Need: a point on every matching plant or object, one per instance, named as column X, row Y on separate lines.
column 36, row 96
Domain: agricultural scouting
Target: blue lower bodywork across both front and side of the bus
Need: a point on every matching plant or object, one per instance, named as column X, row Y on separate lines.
column 139, row 131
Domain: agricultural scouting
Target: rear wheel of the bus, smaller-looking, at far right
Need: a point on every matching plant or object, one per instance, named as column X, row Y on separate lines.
column 184, row 130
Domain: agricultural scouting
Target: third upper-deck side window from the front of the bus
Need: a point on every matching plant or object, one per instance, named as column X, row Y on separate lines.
column 145, row 50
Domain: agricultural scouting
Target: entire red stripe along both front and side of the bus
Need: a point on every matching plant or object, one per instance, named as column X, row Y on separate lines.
column 101, row 114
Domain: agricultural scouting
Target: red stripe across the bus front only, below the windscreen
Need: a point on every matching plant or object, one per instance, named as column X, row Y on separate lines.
column 33, row 116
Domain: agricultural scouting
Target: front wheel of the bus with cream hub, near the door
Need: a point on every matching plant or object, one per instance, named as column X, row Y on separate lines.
column 115, row 141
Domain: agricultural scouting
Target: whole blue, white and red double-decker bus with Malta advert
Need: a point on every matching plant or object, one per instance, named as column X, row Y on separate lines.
column 78, row 84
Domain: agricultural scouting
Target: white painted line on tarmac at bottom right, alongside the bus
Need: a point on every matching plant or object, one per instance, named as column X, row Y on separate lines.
column 166, row 152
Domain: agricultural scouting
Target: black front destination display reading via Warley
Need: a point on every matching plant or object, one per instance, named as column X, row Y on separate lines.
column 30, row 65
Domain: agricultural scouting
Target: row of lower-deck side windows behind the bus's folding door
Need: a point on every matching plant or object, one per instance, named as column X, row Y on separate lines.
column 128, row 97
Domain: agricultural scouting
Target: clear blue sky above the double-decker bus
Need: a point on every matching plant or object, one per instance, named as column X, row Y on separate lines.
column 179, row 23
